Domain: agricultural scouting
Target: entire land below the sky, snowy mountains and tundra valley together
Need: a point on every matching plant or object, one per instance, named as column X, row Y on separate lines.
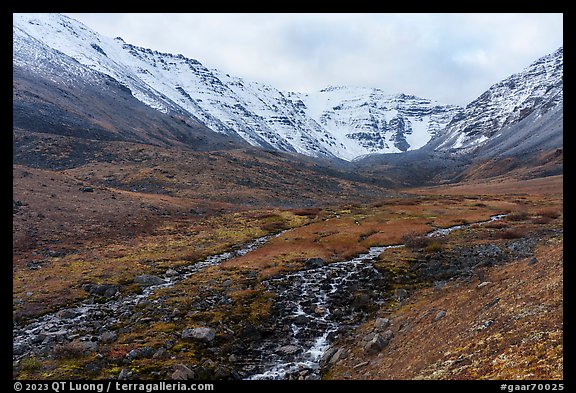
column 172, row 222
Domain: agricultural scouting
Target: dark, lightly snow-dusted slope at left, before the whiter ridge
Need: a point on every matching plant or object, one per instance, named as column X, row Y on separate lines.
column 53, row 93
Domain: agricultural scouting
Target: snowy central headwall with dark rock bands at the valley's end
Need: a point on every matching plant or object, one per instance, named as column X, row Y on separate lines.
column 367, row 120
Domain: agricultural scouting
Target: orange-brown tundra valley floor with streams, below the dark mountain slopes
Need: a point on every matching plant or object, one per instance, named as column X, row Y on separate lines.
column 484, row 301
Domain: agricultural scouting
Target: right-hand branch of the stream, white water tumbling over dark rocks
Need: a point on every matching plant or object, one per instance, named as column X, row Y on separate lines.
column 319, row 303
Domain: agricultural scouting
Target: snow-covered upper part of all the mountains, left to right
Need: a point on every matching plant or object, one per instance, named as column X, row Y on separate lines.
column 337, row 121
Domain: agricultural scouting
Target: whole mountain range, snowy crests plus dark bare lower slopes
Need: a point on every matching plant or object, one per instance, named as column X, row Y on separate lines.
column 520, row 117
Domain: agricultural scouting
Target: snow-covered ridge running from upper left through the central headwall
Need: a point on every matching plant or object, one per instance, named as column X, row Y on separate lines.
column 335, row 122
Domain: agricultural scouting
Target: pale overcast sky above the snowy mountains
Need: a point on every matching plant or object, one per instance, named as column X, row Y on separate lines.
column 451, row 58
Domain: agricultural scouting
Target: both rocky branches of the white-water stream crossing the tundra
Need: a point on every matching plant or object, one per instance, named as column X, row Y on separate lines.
column 312, row 308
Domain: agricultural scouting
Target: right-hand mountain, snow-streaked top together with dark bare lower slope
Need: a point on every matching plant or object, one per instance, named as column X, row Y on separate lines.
column 514, row 129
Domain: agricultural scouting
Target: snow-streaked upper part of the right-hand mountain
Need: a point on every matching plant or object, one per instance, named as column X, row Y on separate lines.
column 537, row 89
